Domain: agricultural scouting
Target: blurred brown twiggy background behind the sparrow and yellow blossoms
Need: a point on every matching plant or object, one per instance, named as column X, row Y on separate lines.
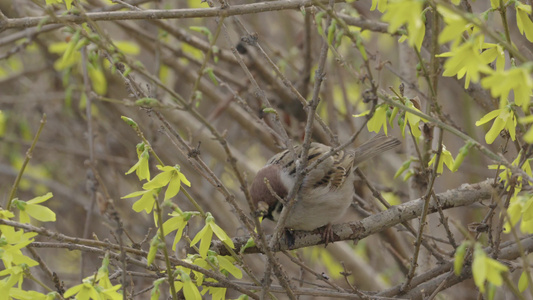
column 37, row 79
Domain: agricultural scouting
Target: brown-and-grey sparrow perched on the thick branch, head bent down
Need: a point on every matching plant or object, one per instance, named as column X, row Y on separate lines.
column 326, row 191
